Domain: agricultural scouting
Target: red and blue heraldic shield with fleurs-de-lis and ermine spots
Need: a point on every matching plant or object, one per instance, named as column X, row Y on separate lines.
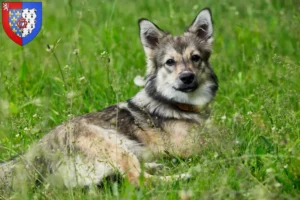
column 22, row 21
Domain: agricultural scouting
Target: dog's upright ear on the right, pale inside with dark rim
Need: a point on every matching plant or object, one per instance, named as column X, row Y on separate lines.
column 202, row 25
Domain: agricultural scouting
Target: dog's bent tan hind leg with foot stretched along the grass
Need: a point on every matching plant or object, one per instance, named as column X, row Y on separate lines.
column 108, row 146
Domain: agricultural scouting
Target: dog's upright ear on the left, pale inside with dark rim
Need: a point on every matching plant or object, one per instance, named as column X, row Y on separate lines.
column 150, row 35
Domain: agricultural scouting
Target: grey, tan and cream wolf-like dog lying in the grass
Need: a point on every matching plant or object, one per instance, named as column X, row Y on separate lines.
column 163, row 118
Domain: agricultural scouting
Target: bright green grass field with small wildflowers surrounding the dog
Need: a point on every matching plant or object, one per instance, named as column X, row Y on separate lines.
column 255, row 151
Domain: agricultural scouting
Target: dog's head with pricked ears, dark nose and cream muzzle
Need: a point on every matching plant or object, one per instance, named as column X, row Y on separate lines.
column 178, row 67
